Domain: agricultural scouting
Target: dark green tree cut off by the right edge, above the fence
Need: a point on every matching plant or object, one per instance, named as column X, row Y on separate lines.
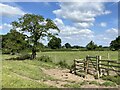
column 115, row 44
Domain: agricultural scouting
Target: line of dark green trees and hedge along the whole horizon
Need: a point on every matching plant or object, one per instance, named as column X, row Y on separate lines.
column 15, row 42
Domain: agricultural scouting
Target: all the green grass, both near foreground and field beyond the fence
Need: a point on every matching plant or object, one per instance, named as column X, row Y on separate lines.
column 12, row 70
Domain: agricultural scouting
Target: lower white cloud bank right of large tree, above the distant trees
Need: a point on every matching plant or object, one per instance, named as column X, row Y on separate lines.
column 72, row 34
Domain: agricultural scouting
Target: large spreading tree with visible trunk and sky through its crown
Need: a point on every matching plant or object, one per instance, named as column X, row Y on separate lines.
column 37, row 26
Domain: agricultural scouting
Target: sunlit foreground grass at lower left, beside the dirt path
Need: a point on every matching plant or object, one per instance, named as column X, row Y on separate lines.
column 13, row 71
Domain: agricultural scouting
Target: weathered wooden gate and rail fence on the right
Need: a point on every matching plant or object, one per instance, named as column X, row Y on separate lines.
column 95, row 65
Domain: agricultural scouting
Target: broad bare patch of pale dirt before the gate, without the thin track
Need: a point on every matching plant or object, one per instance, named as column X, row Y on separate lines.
column 64, row 77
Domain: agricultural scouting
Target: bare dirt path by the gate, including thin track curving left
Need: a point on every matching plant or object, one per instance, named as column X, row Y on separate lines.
column 62, row 77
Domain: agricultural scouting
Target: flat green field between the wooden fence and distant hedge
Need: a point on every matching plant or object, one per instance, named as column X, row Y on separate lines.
column 69, row 56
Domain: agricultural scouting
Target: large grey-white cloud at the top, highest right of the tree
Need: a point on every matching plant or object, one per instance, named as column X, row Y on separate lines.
column 81, row 12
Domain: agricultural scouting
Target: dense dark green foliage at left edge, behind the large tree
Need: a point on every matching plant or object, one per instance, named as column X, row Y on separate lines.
column 13, row 42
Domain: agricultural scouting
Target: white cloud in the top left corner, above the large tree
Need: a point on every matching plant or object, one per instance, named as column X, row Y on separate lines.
column 7, row 10
